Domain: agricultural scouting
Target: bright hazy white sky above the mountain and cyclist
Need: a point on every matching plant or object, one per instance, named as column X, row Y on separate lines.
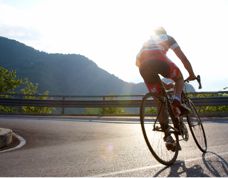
column 111, row 32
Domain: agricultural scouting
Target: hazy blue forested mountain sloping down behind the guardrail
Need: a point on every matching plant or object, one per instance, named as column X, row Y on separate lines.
column 63, row 74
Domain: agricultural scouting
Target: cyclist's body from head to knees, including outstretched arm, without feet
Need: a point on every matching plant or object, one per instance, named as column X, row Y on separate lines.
column 152, row 60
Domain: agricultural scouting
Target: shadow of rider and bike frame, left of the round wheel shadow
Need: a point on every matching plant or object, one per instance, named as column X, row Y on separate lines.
column 179, row 169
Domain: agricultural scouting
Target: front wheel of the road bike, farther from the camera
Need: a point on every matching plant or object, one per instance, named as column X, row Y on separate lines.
column 196, row 128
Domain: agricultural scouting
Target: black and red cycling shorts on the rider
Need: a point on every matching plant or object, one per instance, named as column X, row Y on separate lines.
column 154, row 64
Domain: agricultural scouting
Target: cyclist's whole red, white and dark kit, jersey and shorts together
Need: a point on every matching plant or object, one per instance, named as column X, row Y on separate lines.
column 152, row 60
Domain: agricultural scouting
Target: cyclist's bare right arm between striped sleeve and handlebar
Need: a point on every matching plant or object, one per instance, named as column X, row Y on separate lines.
column 185, row 62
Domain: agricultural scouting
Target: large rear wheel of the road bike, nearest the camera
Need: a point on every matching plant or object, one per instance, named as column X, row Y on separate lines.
column 153, row 134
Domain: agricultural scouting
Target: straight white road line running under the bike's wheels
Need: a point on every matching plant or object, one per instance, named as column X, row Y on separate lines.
column 151, row 167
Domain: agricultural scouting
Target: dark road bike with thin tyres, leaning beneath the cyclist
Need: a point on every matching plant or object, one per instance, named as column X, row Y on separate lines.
column 152, row 130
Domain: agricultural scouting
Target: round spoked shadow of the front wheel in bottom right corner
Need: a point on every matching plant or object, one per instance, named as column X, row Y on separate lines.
column 217, row 166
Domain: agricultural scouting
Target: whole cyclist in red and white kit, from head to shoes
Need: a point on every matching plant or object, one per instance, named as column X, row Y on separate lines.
column 152, row 60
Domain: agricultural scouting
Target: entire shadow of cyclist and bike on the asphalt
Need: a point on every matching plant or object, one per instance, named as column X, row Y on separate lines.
column 213, row 164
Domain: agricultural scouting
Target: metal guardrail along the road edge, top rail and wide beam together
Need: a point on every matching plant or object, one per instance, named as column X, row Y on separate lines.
column 132, row 101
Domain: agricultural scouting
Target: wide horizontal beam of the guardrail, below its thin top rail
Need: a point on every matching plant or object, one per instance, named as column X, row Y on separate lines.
column 212, row 101
